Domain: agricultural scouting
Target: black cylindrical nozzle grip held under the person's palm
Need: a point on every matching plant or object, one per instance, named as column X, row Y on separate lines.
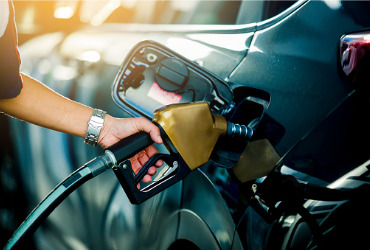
column 131, row 145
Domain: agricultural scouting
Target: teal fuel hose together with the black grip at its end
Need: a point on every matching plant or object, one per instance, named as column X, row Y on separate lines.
column 115, row 154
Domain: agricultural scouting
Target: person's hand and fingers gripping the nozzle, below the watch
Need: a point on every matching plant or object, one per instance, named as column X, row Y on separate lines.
column 115, row 129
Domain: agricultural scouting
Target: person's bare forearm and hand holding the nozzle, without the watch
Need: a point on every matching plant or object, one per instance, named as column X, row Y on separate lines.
column 42, row 106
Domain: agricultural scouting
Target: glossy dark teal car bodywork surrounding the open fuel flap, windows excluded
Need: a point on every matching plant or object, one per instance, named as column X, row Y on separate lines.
column 293, row 56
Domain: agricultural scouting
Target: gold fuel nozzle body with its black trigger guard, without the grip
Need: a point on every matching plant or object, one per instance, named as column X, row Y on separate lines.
column 190, row 132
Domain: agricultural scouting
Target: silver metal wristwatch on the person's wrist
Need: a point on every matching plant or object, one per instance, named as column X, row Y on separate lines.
column 94, row 126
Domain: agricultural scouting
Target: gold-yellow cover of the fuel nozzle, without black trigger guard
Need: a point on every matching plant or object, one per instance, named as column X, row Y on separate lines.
column 192, row 129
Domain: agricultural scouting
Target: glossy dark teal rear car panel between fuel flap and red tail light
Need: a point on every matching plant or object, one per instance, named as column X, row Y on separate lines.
column 295, row 61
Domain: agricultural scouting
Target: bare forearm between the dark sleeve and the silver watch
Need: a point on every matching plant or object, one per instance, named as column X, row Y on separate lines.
column 42, row 106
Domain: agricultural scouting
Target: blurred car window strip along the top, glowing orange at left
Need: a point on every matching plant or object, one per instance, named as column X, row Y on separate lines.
column 35, row 17
